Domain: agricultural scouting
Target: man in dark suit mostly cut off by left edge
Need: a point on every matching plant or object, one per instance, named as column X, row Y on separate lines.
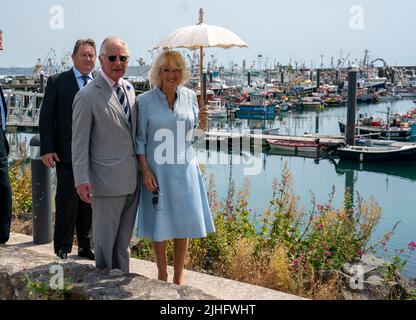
column 5, row 188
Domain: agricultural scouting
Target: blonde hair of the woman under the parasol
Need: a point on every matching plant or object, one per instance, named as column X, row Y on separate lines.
column 172, row 59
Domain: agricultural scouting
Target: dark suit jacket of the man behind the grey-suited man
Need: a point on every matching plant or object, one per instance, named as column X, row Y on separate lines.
column 55, row 121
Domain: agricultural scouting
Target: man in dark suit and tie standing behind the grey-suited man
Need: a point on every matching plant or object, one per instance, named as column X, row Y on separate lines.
column 55, row 125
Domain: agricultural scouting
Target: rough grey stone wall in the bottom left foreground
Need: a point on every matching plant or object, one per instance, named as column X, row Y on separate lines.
column 27, row 275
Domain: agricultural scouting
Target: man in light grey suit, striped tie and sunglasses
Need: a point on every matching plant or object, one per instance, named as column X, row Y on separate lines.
column 104, row 162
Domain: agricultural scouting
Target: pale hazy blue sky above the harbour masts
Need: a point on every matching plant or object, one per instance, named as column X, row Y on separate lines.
column 281, row 31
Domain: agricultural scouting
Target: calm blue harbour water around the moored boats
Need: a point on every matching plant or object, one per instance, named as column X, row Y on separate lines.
column 393, row 186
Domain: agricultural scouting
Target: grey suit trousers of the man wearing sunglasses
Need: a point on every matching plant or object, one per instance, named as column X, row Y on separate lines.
column 113, row 224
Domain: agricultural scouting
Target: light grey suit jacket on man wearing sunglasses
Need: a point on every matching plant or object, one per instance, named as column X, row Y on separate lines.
column 103, row 143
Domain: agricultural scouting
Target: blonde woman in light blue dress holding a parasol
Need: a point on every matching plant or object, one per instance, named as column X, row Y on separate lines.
column 173, row 203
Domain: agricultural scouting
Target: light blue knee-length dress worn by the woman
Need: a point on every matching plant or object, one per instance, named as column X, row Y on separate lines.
column 166, row 138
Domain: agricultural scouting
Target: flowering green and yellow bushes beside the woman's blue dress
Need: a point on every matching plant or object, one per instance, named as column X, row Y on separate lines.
column 285, row 247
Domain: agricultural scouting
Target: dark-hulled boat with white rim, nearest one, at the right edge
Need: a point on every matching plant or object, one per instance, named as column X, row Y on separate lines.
column 404, row 152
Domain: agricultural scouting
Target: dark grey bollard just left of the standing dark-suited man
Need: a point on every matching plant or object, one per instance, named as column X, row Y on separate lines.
column 41, row 195
